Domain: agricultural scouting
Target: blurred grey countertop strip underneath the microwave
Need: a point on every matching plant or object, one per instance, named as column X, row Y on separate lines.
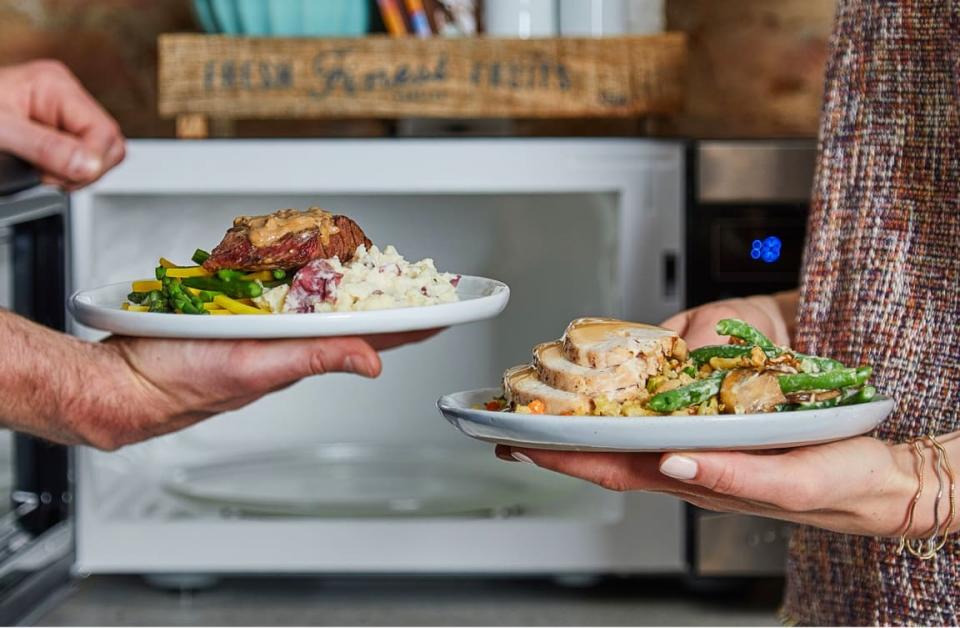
column 129, row 600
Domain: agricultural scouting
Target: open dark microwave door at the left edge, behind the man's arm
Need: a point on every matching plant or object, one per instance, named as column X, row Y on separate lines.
column 36, row 538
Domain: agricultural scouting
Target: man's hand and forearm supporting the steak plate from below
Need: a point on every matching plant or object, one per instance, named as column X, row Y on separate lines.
column 126, row 390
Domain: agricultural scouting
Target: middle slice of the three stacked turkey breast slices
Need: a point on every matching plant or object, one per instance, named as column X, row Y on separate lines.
column 617, row 383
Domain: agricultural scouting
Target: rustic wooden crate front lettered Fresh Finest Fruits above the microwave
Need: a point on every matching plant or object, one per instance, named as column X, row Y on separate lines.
column 381, row 77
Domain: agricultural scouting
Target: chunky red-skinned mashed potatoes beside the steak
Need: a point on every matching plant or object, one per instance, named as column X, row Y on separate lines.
column 372, row 280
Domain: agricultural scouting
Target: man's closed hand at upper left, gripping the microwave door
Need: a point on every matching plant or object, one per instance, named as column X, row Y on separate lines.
column 49, row 119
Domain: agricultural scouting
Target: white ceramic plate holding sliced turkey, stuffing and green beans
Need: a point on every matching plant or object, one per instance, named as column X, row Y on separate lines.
column 670, row 433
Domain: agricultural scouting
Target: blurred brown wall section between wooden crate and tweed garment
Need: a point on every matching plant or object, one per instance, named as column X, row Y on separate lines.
column 754, row 68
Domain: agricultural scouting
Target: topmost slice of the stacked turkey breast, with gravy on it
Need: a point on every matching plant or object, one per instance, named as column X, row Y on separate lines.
column 607, row 342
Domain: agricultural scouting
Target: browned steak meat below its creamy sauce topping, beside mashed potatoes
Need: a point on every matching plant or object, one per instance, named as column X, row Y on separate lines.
column 290, row 251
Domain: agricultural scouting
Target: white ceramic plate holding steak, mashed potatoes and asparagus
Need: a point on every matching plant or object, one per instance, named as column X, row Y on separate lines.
column 480, row 299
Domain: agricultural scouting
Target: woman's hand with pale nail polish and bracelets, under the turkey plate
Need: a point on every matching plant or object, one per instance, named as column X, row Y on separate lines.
column 856, row 486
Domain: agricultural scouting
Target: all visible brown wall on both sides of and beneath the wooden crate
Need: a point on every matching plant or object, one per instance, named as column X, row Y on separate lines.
column 755, row 67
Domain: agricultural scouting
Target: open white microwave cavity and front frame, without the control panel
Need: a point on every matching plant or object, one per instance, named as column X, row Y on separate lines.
column 343, row 475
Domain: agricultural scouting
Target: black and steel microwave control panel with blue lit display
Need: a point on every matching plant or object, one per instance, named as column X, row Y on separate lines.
column 747, row 208
